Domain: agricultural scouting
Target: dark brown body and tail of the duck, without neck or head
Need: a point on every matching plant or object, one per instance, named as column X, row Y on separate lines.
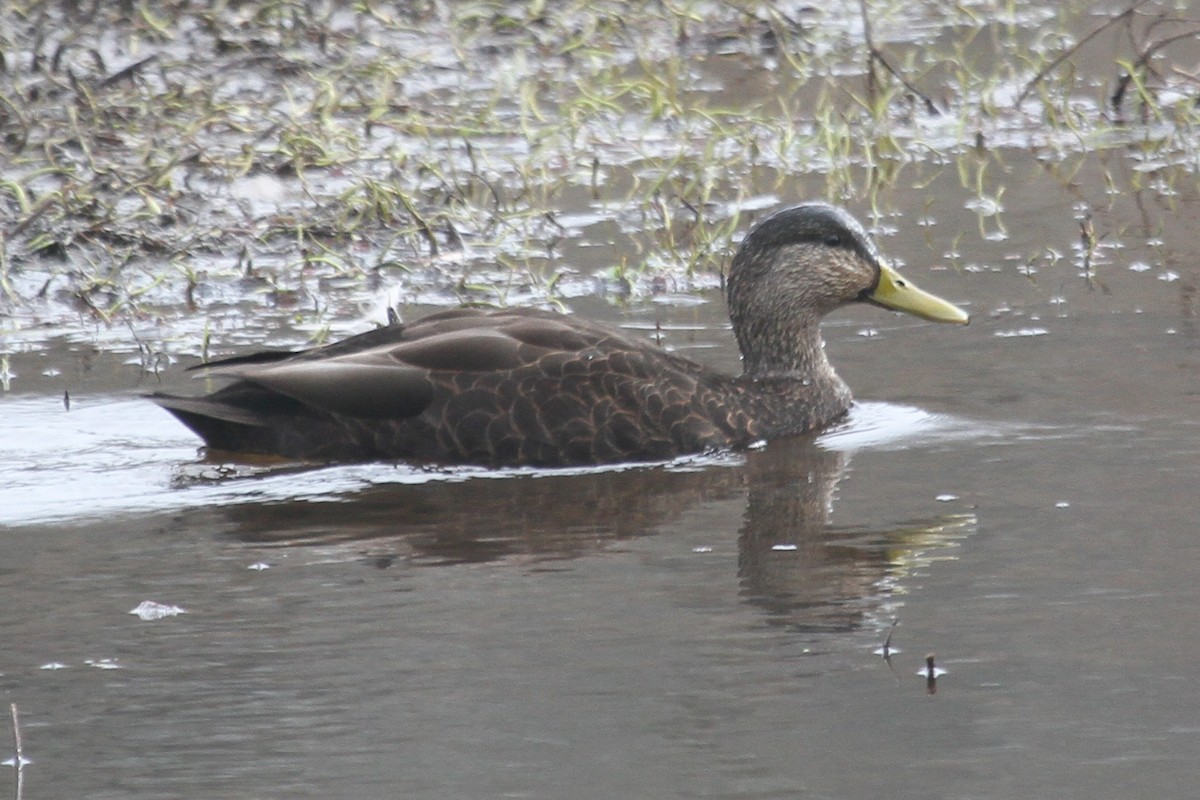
column 472, row 387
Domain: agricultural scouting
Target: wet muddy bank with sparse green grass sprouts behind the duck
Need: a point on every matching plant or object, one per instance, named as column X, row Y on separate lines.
column 164, row 167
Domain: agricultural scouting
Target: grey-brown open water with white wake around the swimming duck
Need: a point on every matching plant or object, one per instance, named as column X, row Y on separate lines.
column 1021, row 495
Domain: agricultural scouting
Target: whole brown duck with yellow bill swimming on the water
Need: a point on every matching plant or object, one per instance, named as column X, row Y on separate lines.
column 525, row 387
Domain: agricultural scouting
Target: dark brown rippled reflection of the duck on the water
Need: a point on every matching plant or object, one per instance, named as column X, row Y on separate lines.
column 794, row 564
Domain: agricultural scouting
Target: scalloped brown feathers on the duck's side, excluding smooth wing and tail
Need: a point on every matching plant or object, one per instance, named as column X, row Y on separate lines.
column 614, row 400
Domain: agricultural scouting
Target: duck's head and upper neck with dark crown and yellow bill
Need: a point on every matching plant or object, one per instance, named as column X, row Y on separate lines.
column 797, row 266
